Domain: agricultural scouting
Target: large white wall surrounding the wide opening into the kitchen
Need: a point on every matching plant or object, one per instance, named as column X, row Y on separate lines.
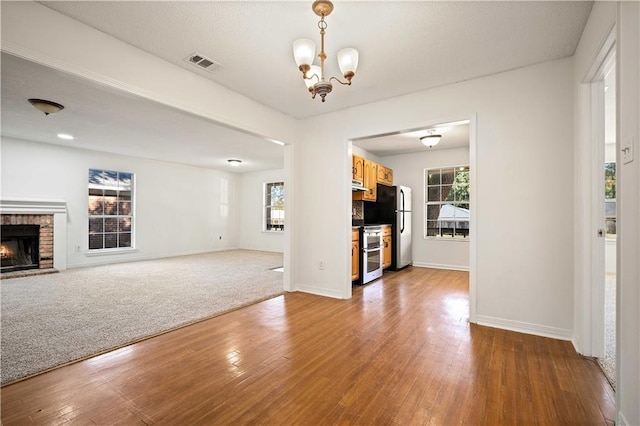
column 524, row 148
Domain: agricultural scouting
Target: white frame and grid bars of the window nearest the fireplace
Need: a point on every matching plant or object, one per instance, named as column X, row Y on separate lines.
column 117, row 216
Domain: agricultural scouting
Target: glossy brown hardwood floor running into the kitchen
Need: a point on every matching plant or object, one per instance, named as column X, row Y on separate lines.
column 401, row 351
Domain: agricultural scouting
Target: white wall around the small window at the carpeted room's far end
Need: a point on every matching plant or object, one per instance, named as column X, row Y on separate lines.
column 251, row 198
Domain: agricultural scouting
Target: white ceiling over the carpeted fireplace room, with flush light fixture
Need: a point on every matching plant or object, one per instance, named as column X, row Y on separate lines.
column 105, row 119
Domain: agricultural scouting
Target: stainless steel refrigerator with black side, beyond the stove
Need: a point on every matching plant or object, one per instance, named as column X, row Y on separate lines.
column 393, row 206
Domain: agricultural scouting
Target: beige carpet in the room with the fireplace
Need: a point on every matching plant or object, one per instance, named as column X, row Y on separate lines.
column 51, row 320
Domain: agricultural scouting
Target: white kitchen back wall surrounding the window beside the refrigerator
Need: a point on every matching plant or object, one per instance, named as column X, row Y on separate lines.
column 408, row 170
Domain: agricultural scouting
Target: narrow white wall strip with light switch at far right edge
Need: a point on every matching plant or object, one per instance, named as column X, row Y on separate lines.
column 628, row 131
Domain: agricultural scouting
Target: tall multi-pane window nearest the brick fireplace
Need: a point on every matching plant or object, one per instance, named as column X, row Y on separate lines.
column 110, row 209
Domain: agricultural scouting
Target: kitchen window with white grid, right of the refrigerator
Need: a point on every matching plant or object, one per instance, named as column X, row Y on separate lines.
column 447, row 205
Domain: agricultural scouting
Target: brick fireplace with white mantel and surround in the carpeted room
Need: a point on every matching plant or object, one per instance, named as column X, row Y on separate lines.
column 34, row 232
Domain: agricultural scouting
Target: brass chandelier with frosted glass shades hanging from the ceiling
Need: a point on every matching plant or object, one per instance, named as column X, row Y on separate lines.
column 304, row 51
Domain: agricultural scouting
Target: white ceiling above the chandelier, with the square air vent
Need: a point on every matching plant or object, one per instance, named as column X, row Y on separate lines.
column 404, row 46
